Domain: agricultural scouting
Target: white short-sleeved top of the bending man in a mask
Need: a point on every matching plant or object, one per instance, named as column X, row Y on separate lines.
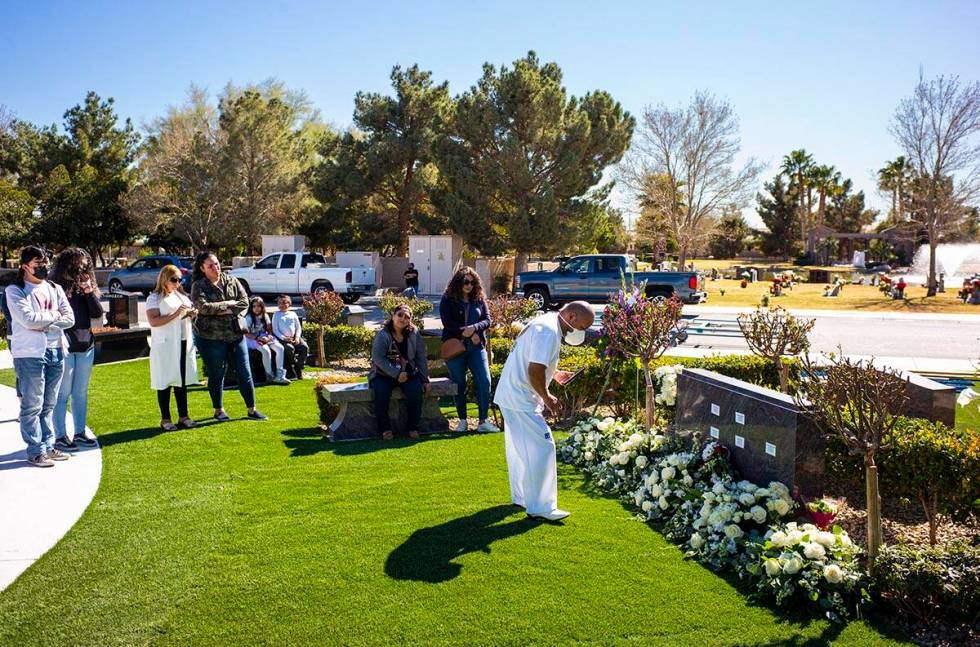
column 538, row 343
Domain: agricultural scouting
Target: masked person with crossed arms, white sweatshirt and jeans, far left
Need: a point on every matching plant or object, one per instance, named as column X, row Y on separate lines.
column 40, row 313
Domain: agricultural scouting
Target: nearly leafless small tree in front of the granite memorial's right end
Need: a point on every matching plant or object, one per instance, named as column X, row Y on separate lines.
column 861, row 404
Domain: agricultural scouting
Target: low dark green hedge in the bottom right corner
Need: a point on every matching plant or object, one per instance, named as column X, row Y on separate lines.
column 928, row 583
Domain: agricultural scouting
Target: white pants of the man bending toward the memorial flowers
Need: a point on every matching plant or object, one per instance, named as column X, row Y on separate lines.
column 531, row 462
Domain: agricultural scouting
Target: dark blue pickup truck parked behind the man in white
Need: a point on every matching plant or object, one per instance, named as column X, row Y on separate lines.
column 595, row 276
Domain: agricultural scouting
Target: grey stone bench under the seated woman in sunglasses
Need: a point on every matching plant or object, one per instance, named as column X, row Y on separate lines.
column 355, row 420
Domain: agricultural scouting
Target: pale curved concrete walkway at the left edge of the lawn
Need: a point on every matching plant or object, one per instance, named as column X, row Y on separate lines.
column 37, row 505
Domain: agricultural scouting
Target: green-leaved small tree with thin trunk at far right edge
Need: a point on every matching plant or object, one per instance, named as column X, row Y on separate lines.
column 935, row 465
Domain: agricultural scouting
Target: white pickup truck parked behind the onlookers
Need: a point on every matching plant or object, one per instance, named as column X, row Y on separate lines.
column 296, row 273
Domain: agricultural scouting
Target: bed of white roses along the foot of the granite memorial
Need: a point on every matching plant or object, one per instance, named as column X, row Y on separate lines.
column 694, row 496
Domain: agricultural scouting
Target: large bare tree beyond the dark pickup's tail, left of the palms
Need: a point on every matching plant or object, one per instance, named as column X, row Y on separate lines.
column 691, row 151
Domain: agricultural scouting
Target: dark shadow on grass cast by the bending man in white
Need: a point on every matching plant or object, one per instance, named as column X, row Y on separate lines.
column 427, row 556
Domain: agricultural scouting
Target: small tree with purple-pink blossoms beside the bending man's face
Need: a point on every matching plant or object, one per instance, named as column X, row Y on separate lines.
column 641, row 327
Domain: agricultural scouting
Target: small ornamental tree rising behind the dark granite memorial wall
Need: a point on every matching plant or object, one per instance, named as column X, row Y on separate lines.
column 773, row 333
